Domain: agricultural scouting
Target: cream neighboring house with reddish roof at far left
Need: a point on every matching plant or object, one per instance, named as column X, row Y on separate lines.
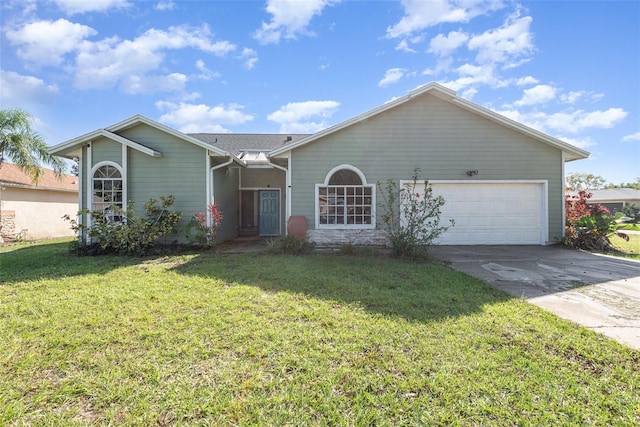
column 34, row 211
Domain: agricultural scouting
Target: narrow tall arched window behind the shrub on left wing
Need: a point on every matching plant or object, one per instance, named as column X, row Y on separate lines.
column 107, row 191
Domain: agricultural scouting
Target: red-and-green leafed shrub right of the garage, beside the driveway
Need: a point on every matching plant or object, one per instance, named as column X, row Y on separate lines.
column 588, row 226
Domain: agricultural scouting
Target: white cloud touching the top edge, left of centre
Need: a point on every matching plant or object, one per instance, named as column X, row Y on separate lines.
column 289, row 18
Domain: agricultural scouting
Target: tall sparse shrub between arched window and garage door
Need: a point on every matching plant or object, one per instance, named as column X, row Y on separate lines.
column 411, row 220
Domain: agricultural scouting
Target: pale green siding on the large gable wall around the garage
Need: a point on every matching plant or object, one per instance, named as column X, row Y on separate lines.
column 443, row 140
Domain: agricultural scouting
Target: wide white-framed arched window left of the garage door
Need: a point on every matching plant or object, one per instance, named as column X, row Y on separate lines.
column 345, row 200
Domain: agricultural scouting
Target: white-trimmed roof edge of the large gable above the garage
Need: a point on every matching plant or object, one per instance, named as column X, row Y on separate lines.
column 570, row 152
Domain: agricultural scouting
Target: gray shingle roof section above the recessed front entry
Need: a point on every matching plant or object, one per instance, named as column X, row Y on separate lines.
column 237, row 143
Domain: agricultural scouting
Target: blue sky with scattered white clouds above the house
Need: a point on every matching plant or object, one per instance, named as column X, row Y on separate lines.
column 568, row 68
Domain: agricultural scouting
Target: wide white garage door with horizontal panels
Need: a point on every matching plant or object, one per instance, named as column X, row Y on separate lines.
column 493, row 213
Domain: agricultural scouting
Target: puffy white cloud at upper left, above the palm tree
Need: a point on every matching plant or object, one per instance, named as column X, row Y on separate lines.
column 46, row 42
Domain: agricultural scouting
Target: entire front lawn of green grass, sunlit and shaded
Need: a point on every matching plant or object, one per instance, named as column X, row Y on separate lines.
column 253, row 339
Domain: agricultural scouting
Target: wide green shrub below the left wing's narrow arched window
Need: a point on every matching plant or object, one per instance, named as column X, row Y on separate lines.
column 131, row 234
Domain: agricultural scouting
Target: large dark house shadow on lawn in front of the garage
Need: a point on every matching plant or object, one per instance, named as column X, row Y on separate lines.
column 416, row 291
